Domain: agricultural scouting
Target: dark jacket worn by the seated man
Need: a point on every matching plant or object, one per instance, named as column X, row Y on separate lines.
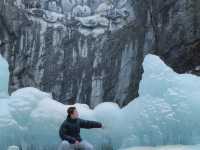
column 70, row 129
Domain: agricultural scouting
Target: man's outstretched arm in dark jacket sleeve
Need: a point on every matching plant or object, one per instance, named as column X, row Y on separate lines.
column 89, row 124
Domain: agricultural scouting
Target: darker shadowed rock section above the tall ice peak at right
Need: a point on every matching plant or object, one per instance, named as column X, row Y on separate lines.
column 176, row 29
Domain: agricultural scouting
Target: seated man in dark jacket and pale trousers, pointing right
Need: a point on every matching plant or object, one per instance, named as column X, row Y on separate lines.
column 70, row 131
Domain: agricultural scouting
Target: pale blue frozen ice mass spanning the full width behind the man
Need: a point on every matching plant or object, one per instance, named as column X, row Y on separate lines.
column 165, row 113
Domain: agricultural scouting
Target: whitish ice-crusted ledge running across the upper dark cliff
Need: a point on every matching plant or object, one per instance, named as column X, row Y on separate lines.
column 93, row 25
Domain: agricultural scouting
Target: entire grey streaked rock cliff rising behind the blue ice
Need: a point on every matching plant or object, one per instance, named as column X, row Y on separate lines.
column 92, row 51
